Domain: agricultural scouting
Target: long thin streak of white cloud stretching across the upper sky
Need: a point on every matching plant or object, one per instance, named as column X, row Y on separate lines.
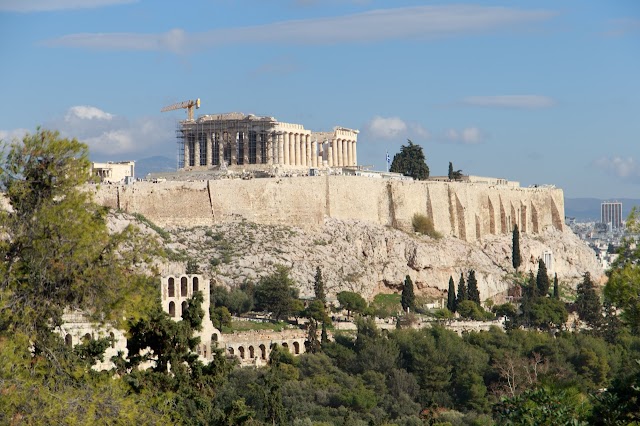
column 383, row 24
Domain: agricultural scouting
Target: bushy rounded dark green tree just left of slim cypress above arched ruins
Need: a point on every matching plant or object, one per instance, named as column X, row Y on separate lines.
column 276, row 293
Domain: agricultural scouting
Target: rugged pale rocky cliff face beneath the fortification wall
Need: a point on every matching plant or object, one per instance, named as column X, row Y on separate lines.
column 369, row 259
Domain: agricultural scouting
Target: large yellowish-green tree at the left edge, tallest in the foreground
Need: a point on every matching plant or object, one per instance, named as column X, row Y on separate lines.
column 56, row 251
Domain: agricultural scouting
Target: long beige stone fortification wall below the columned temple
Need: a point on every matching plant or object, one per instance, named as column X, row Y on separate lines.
column 461, row 209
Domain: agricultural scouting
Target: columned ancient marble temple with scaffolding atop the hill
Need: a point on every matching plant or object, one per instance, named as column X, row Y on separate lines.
column 236, row 139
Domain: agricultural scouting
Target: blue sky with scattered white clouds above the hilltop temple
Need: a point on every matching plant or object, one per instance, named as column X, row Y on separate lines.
column 544, row 92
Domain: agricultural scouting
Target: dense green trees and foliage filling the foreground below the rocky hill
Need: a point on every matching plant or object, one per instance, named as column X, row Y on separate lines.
column 536, row 372
